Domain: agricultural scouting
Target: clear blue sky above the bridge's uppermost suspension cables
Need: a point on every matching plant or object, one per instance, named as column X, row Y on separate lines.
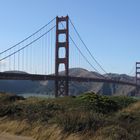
column 110, row 28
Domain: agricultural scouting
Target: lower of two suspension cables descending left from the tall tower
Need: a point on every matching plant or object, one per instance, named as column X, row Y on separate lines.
column 28, row 44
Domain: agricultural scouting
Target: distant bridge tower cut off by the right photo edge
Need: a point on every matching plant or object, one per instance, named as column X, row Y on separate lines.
column 137, row 77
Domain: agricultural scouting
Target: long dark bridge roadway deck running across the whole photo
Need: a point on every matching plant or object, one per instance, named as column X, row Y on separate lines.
column 36, row 77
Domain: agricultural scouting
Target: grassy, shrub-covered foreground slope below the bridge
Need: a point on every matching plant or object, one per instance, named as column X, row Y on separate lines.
column 88, row 116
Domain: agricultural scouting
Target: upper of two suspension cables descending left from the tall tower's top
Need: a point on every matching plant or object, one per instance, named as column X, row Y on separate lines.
column 28, row 37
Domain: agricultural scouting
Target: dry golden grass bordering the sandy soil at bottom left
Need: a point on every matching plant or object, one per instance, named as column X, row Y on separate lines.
column 36, row 131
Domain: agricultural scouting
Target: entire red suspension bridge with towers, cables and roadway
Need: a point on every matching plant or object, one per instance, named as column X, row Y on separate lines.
column 48, row 51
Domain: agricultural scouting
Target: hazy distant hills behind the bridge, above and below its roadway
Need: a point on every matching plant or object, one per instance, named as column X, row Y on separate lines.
column 76, row 88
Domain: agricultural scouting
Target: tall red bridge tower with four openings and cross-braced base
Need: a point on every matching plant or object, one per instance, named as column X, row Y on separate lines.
column 62, row 85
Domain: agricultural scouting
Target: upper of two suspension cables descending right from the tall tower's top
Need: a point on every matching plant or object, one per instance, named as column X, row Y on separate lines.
column 87, row 47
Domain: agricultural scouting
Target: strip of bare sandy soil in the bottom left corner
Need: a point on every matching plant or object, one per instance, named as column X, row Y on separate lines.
column 6, row 136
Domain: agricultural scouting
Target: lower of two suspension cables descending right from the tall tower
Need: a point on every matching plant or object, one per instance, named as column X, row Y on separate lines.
column 84, row 56
